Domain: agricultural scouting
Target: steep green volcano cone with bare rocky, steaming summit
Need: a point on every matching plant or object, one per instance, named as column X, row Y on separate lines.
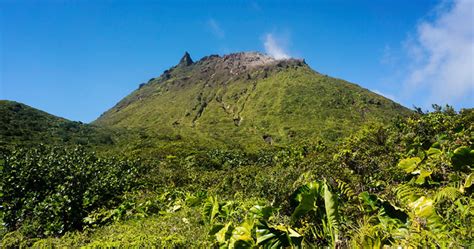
column 247, row 100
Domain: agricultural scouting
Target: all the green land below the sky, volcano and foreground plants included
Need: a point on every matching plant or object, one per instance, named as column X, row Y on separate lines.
column 239, row 151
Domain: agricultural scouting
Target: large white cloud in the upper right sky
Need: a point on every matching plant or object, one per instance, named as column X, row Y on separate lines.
column 442, row 52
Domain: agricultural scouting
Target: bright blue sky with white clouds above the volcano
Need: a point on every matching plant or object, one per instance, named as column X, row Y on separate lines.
column 76, row 59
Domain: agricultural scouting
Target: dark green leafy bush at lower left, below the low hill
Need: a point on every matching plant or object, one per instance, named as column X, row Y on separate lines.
column 49, row 190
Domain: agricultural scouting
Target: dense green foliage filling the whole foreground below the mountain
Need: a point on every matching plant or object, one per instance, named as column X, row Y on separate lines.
column 408, row 184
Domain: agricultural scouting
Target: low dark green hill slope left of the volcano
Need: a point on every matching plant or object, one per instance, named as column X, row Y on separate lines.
column 22, row 124
